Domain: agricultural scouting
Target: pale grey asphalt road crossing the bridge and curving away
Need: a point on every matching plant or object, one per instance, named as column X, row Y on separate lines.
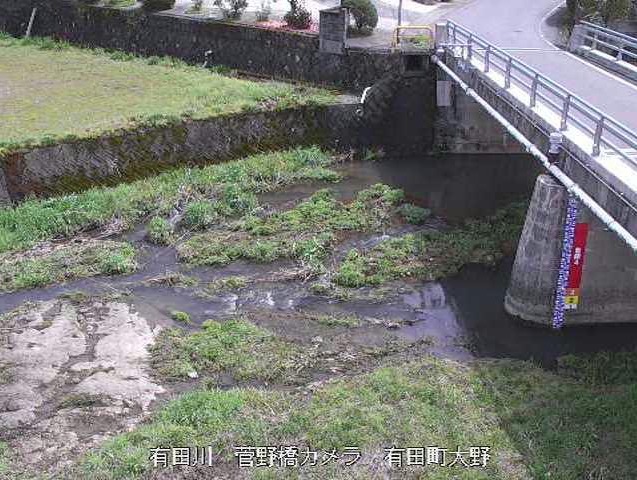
column 519, row 27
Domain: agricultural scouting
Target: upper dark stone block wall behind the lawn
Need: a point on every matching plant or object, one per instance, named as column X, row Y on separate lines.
column 256, row 50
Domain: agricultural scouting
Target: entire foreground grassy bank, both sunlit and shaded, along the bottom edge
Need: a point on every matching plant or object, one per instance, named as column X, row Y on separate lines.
column 538, row 424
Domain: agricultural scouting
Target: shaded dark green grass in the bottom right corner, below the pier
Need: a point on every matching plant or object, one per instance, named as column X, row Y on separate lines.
column 563, row 425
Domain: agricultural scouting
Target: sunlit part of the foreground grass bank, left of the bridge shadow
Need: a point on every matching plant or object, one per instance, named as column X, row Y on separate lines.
column 429, row 402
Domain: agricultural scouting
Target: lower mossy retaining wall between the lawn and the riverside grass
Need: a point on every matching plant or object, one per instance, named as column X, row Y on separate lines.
column 69, row 167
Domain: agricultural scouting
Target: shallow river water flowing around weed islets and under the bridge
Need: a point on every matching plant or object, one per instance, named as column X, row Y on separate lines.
column 463, row 316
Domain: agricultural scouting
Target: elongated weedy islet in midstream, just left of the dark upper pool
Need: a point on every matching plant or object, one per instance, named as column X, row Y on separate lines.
column 306, row 232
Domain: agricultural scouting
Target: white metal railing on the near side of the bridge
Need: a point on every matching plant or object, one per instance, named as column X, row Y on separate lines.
column 606, row 134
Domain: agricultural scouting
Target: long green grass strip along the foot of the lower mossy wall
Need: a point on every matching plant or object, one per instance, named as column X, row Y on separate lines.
column 226, row 184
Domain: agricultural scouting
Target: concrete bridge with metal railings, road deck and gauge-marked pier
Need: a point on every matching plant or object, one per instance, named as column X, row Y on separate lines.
column 576, row 259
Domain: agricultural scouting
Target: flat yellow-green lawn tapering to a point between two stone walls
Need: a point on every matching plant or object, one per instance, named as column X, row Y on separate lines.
column 51, row 90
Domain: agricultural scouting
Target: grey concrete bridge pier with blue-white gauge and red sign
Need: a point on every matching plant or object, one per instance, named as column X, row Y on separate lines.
column 608, row 287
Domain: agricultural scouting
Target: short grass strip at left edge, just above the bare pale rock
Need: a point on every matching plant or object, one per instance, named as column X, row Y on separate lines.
column 51, row 264
